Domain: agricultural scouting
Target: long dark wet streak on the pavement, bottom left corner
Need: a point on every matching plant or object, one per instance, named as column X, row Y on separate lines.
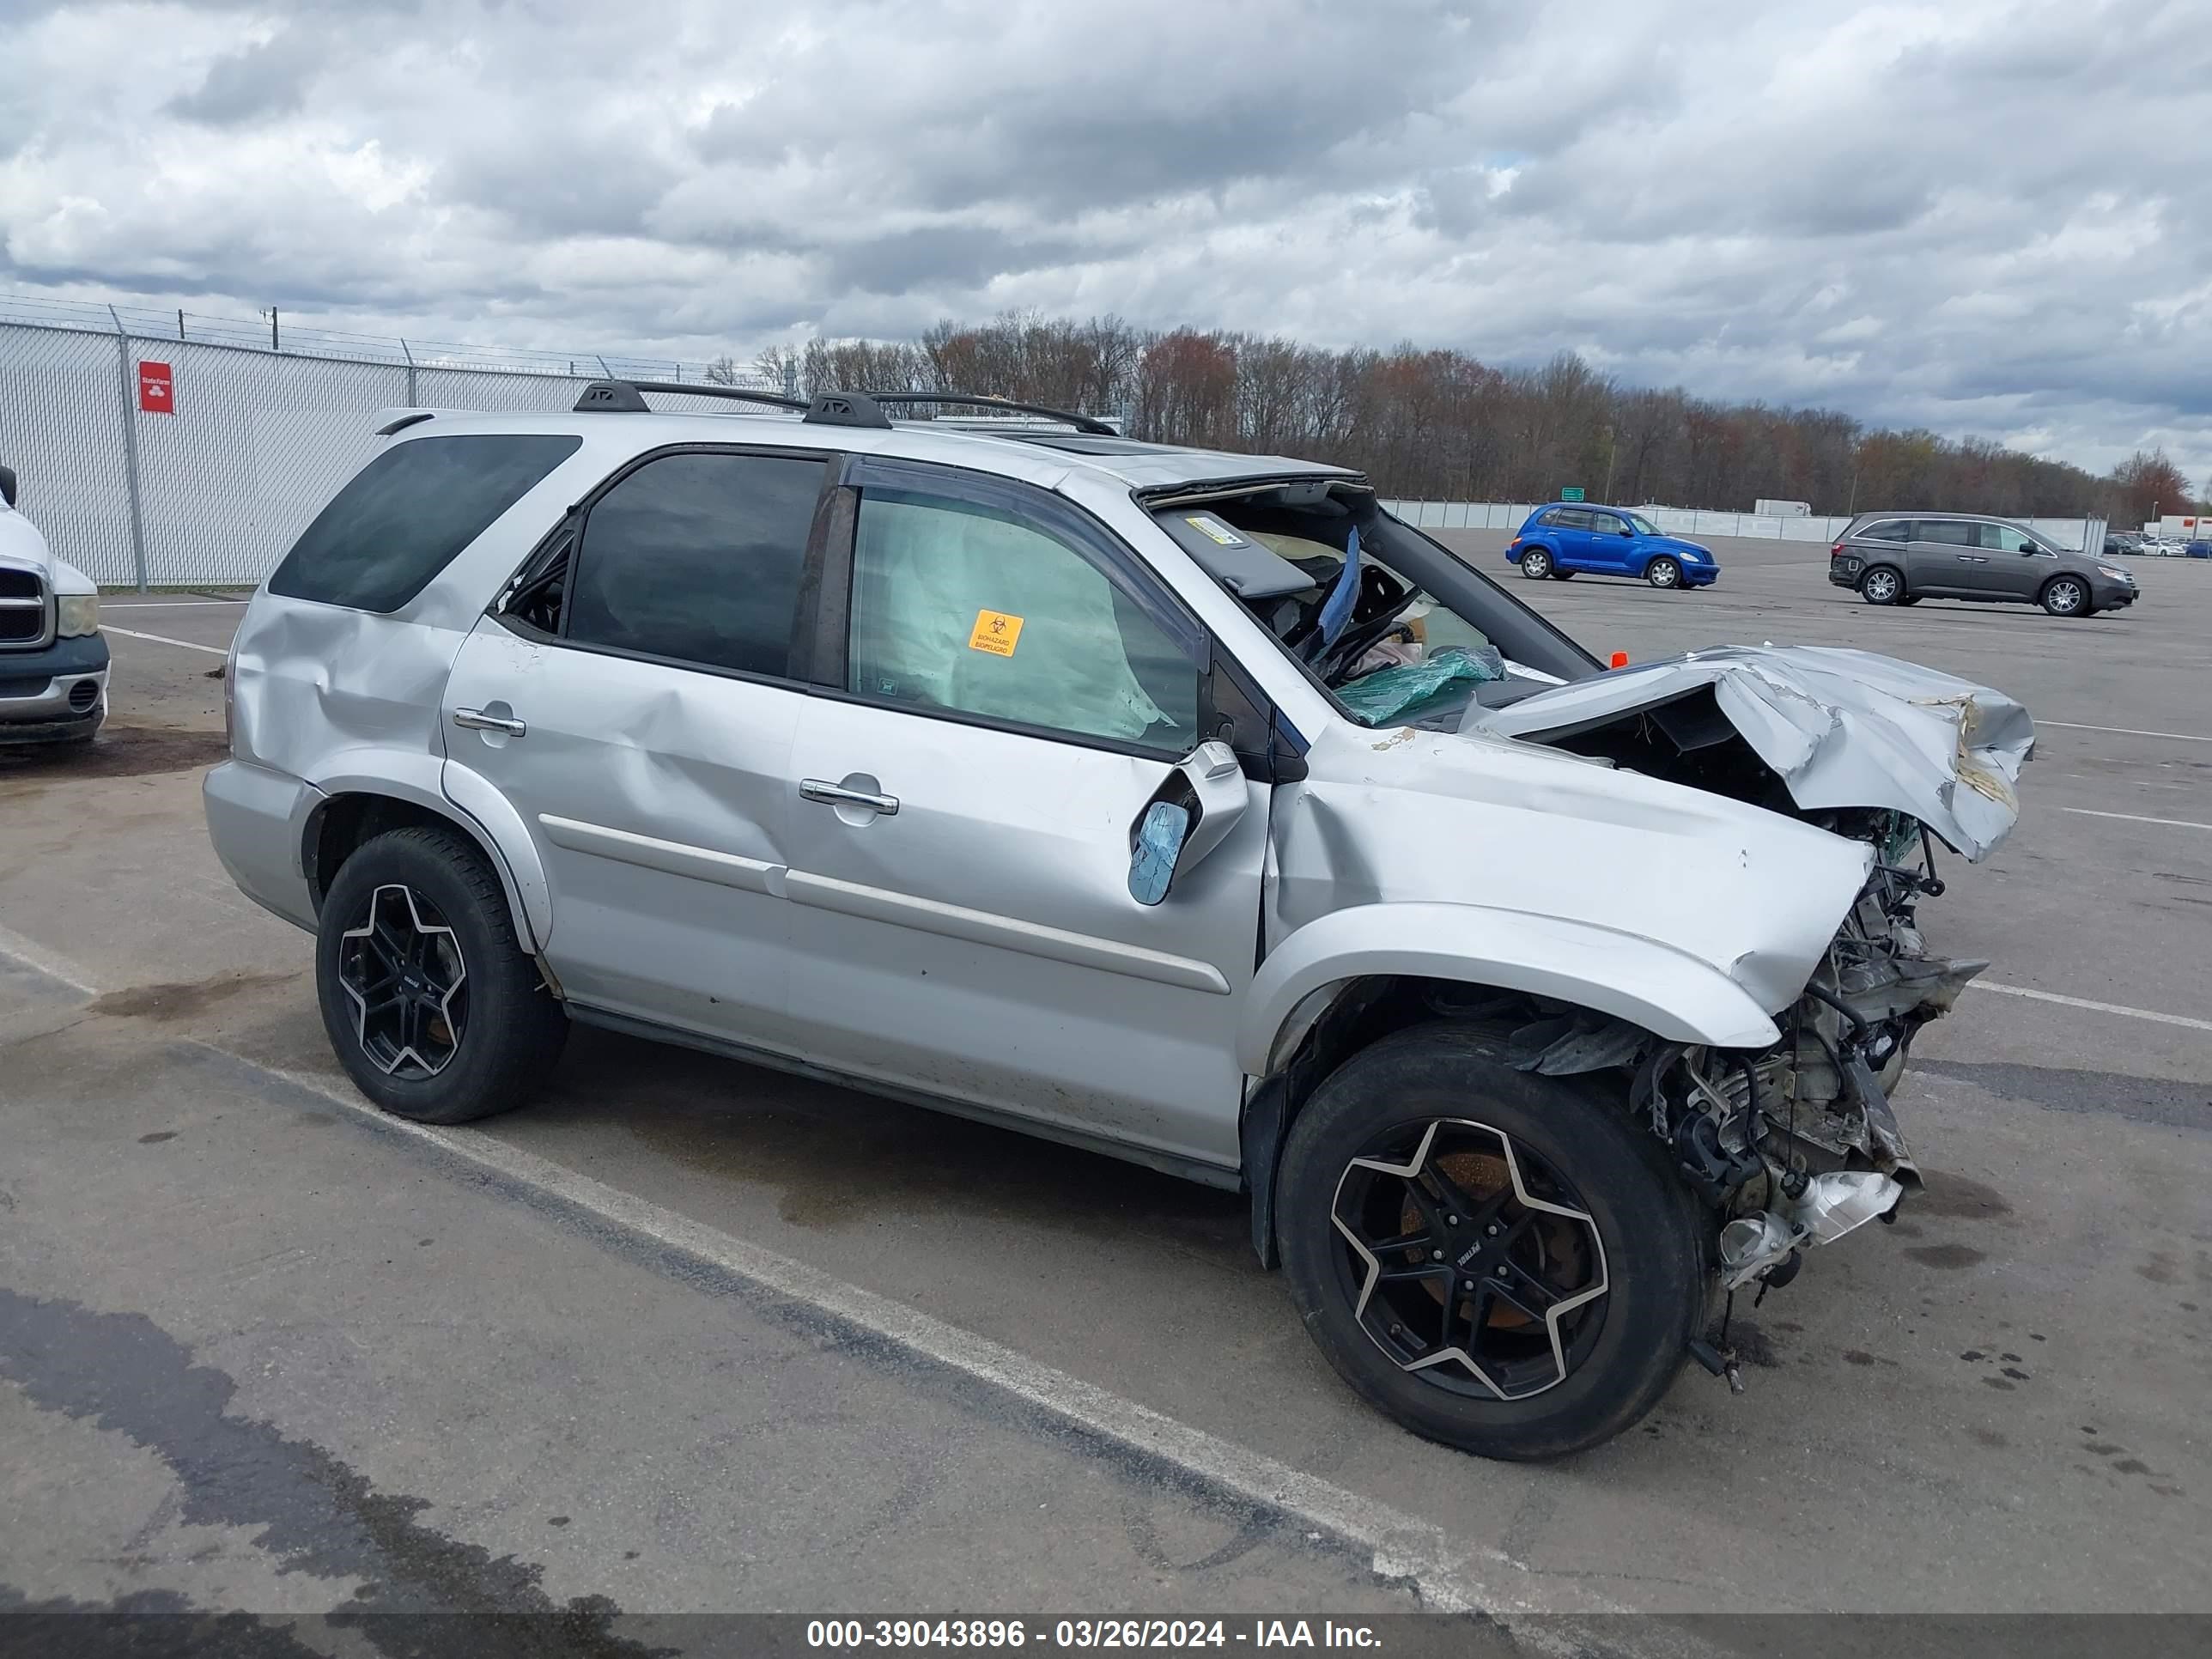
column 313, row 1512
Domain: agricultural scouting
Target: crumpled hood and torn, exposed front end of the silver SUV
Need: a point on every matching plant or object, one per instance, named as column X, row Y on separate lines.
column 1797, row 1145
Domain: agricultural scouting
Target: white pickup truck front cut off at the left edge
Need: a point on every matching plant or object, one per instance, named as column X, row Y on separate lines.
column 54, row 660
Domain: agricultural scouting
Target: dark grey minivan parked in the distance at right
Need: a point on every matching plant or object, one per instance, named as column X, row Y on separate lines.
column 1906, row 559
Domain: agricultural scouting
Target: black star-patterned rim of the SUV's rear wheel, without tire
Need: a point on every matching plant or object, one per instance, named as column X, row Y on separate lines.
column 404, row 974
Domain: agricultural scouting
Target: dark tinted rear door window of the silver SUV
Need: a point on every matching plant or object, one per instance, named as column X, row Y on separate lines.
column 700, row 559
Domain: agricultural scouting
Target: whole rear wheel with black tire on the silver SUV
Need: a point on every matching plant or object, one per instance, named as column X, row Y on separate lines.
column 430, row 1003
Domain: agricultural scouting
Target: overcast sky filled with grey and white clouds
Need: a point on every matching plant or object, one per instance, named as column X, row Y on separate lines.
column 1974, row 216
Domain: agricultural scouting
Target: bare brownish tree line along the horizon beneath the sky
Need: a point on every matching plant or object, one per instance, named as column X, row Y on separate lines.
column 1441, row 426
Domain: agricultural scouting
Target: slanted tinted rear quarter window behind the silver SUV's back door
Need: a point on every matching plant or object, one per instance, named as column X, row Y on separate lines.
column 410, row 512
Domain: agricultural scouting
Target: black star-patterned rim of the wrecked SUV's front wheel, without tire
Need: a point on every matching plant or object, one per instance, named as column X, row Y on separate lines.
column 1470, row 1260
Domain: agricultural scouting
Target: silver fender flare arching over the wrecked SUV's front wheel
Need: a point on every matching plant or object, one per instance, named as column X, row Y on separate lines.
column 1642, row 981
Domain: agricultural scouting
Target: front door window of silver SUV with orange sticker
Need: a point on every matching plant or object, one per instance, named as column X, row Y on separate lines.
column 979, row 612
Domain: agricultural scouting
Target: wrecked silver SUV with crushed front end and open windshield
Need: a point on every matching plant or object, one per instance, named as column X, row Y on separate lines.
column 1169, row 804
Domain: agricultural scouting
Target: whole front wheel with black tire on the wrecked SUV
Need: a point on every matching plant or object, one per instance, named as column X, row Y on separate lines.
column 1620, row 1346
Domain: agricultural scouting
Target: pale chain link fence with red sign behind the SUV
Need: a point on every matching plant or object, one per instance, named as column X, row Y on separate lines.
column 244, row 444
